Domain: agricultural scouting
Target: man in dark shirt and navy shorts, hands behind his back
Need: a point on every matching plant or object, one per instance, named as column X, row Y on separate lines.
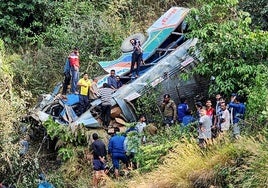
column 99, row 155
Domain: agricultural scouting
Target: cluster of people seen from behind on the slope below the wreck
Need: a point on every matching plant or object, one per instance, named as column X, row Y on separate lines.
column 121, row 147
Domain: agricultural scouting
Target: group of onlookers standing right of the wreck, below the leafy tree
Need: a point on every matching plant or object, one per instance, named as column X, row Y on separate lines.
column 212, row 120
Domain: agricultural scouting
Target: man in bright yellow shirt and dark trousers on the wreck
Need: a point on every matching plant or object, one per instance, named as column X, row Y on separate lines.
column 84, row 84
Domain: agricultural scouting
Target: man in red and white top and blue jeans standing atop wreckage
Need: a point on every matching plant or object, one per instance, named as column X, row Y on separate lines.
column 74, row 63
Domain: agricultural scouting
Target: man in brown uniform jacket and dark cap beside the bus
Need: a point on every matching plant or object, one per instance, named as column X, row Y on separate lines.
column 168, row 107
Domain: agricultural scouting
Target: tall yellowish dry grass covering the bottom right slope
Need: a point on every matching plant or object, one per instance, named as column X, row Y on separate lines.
column 228, row 163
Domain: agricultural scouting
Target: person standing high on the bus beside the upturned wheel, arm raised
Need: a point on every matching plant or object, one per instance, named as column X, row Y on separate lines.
column 136, row 57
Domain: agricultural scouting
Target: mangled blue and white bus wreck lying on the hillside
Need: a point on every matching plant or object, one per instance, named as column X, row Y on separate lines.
column 166, row 54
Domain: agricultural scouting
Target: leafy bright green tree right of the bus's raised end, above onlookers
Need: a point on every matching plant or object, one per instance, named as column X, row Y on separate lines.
column 231, row 51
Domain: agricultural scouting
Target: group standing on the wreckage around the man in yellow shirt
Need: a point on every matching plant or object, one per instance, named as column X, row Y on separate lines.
column 87, row 88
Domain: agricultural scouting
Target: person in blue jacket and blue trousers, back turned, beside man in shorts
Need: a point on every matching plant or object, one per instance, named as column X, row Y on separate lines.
column 117, row 150
